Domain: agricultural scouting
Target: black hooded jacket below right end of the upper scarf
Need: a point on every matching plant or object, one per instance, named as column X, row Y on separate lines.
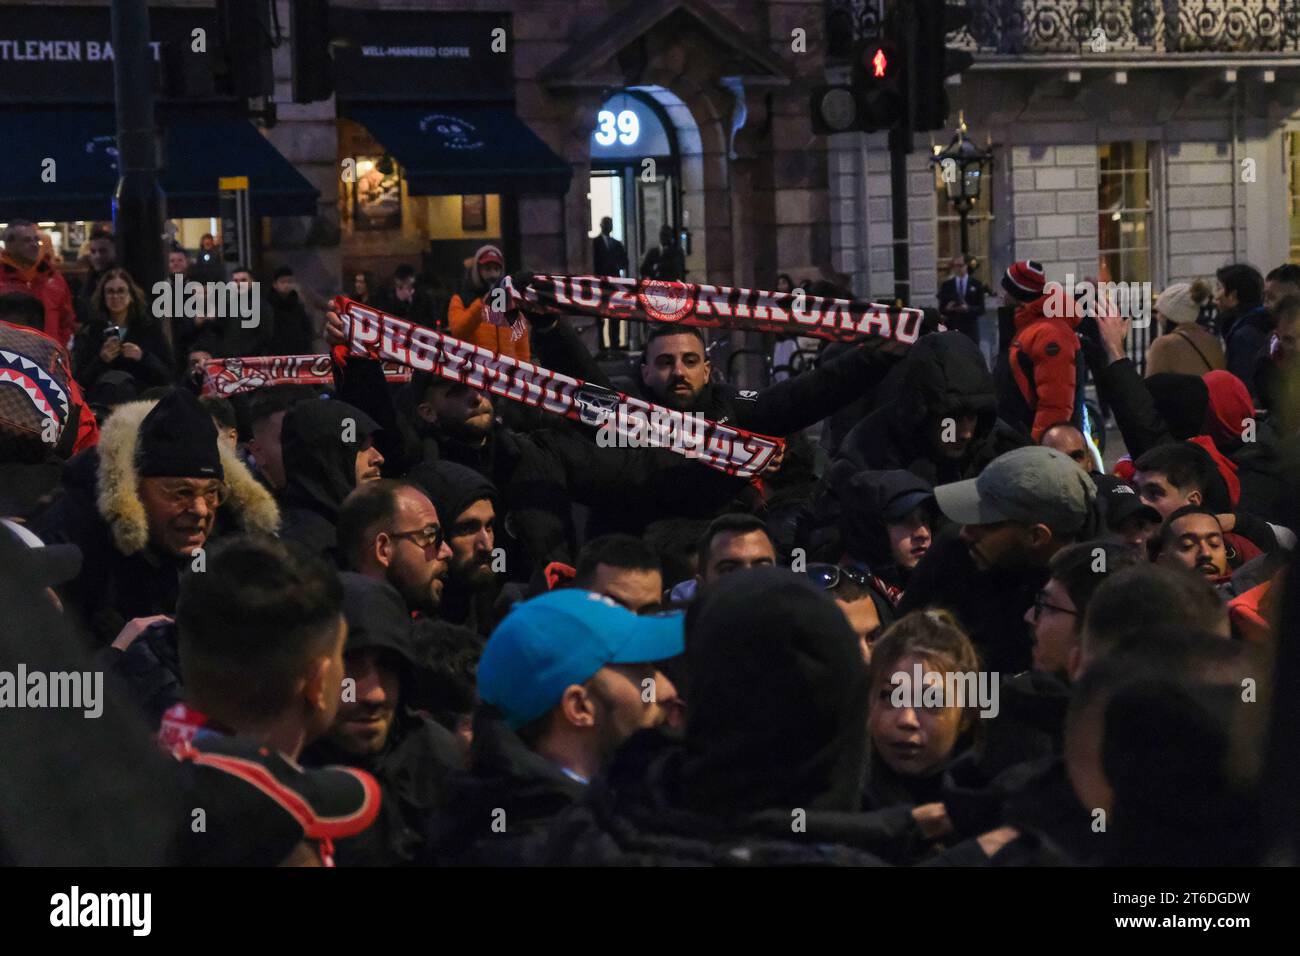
column 944, row 375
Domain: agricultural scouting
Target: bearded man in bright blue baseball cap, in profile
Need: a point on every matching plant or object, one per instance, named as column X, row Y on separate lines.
column 566, row 680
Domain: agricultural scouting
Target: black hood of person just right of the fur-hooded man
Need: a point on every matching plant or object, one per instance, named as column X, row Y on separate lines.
column 320, row 470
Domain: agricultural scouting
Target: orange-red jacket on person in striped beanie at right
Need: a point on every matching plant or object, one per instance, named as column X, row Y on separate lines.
column 1048, row 347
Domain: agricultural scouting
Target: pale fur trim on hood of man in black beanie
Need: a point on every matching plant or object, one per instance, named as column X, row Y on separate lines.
column 118, row 498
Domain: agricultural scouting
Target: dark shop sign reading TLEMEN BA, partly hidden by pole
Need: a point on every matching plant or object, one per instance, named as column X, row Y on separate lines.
column 67, row 55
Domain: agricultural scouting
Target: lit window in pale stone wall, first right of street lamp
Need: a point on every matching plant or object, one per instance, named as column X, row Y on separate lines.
column 1124, row 213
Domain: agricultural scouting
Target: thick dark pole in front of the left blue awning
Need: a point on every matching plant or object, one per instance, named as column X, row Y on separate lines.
column 138, row 204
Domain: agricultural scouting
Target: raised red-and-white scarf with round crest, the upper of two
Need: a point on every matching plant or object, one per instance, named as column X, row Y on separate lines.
column 703, row 306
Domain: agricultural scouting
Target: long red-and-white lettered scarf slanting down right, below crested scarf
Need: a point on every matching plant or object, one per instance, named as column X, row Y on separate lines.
column 380, row 336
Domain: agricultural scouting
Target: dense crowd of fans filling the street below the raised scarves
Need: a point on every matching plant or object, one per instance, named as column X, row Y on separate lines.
column 389, row 624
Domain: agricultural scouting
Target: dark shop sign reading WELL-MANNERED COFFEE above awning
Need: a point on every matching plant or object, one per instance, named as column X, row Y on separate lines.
column 404, row 57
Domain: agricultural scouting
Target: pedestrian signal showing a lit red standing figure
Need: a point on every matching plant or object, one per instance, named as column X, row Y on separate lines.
column 877, row 101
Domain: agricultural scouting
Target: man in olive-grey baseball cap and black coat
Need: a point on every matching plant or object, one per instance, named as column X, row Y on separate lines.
column 1015, row 517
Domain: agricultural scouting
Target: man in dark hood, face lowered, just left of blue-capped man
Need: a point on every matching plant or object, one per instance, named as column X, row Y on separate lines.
column 378, row 729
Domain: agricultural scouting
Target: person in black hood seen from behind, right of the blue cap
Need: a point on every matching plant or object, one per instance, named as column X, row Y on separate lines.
column 773, row 764
